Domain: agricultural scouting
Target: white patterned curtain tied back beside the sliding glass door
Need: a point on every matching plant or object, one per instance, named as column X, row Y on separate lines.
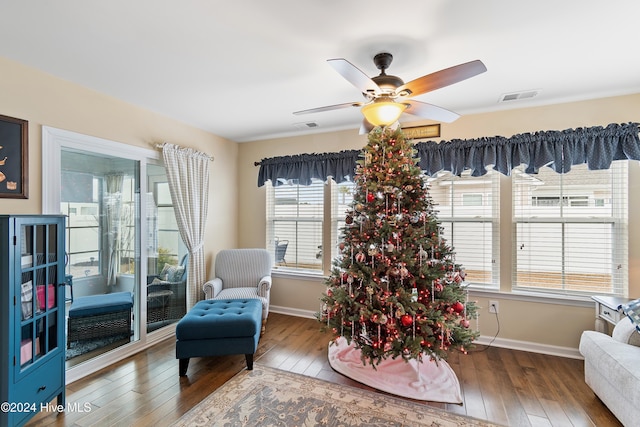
column 188, row 176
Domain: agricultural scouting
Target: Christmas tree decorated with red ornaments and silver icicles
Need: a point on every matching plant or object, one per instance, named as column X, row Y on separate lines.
column 395, row 289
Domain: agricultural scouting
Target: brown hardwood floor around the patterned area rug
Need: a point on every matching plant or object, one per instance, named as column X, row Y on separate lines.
column 508, row 387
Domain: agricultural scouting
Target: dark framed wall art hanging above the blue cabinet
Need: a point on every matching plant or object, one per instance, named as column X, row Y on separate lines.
column 14, row 158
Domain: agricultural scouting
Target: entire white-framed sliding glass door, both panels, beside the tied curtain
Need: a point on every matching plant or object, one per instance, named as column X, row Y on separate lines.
column 122, row 236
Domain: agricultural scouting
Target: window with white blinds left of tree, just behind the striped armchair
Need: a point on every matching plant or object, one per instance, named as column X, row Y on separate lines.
column 294, row 224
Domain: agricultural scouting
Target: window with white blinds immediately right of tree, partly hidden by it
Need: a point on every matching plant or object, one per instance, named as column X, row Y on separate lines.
column 468, row 209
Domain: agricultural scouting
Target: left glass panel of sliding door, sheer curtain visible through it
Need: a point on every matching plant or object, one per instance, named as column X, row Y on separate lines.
column 100, row 196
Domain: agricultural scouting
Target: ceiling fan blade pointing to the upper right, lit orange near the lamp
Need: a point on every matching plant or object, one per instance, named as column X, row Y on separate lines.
column 441, row 78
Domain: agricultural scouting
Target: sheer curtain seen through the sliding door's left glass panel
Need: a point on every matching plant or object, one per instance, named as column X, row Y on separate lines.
column 113, row 207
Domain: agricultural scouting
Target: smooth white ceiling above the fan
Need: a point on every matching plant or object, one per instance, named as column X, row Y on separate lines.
column 239, row 69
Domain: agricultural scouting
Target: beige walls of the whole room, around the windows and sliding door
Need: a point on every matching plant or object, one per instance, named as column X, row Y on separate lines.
column 237, row 213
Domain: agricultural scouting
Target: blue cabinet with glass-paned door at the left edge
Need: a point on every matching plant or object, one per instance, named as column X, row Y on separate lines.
column 32, row 314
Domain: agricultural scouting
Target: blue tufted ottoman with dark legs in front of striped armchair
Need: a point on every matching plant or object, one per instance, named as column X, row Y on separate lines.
column 219, row 327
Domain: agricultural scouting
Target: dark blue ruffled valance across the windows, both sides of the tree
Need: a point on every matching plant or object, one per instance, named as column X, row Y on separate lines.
column 596, row 146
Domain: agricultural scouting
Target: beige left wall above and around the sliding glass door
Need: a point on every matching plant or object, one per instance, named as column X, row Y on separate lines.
column 44, row 100
